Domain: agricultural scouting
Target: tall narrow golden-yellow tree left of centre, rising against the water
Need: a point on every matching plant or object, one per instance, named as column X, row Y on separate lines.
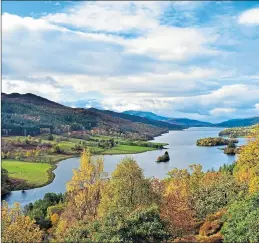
column 83, row 193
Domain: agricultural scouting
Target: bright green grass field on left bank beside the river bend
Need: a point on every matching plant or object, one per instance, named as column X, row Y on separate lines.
column 35, row 174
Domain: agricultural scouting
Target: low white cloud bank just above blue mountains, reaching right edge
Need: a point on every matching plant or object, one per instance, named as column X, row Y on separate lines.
column 227, row 101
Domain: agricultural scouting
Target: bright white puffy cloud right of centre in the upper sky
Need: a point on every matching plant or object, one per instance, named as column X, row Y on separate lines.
column 172, row 43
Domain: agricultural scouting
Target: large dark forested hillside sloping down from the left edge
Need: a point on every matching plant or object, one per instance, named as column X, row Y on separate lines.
column 34, row 114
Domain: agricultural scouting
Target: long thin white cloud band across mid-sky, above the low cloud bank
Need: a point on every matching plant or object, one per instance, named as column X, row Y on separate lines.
column 172, row 83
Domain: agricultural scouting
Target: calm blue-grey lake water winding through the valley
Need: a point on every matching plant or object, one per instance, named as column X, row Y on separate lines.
column 182, row 150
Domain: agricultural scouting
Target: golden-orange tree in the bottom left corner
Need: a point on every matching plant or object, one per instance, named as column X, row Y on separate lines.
column 16, row 227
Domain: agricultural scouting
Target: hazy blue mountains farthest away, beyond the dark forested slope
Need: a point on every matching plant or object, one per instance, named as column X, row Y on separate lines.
column 175, row 121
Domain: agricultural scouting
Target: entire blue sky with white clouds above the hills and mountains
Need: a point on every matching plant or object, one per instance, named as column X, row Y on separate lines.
column 198, row 60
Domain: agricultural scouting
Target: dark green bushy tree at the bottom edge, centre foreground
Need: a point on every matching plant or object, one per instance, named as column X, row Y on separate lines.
column 140, row 225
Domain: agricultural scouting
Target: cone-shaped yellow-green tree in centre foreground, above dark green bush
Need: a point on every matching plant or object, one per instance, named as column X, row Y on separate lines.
column 127, row 188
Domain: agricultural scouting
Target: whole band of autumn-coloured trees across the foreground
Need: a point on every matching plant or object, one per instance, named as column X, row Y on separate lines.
column 187, row 206
